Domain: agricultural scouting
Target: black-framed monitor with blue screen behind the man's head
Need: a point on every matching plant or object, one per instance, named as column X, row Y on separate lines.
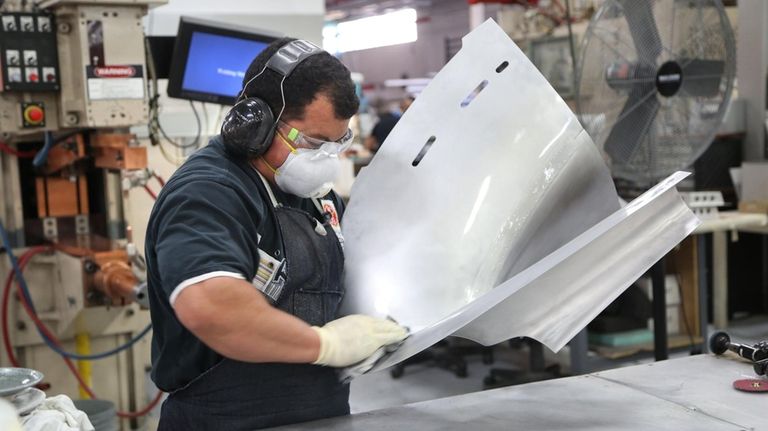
column 210, row 59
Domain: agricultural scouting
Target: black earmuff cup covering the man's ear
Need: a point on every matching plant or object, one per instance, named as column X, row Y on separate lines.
column 248, row 128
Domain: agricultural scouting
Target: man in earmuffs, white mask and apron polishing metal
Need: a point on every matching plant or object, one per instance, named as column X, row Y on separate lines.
column 244, row 269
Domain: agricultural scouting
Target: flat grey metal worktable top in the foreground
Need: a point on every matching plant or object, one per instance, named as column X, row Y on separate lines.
column 692, row 393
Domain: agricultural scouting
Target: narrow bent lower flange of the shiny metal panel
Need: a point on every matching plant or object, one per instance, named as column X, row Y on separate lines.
column 558, row 296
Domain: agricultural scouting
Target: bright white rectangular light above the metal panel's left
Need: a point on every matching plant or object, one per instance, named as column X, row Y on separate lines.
column 382, row 30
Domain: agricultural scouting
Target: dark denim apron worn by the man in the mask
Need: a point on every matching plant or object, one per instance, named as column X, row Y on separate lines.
column 234, row 395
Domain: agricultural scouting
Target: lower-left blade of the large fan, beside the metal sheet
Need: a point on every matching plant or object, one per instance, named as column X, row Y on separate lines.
column 633, row 123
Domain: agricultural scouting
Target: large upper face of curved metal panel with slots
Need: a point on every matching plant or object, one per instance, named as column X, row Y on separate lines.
column 486, row 173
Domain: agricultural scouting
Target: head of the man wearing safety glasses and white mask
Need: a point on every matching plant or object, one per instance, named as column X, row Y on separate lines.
column 311, row 107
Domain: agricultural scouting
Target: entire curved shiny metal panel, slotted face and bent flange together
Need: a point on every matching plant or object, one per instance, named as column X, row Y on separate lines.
column 489, row 213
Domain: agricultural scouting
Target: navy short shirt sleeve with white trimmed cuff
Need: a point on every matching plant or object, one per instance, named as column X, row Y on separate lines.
column 204, row 229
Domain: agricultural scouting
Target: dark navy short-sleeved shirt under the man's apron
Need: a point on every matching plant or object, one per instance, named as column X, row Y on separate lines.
column 207, row 219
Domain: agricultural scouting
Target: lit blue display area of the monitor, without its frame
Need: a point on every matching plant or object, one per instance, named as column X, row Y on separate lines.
column 216, row 64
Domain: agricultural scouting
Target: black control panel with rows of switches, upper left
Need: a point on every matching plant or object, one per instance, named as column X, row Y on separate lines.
column 29, row 52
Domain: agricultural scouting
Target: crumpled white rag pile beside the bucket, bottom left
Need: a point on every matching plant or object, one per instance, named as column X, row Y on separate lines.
column 57, row 414
